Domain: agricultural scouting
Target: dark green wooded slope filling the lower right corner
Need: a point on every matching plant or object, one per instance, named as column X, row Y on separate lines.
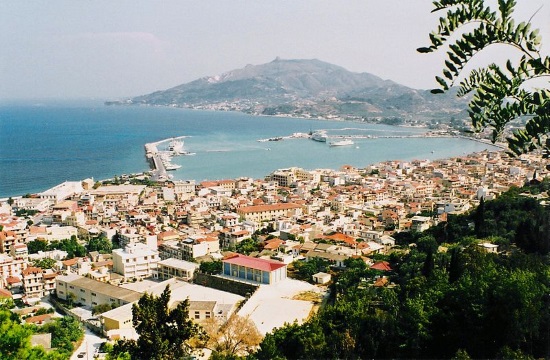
column 445, row 302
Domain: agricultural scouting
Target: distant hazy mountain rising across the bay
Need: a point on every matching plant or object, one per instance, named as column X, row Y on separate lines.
column 307, row 88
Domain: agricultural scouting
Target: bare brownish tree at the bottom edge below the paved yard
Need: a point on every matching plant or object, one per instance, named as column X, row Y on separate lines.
column 237, row 337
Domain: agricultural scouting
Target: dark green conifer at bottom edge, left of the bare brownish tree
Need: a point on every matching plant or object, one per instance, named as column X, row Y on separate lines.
column 163, row 331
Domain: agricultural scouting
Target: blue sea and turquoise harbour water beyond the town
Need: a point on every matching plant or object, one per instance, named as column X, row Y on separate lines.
column 44, row 143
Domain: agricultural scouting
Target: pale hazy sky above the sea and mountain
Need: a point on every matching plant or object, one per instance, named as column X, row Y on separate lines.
column 109, row 49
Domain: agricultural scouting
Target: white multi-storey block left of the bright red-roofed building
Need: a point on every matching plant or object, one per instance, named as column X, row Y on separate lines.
column 135, row 261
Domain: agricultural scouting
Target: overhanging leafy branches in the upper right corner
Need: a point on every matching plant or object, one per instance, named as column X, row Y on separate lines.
column 501, row 95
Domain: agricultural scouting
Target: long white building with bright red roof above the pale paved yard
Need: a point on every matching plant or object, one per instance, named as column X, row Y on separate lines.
column 253, row 269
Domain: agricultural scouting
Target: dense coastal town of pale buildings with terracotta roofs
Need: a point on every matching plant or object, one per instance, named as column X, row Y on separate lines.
column 93, row 248
